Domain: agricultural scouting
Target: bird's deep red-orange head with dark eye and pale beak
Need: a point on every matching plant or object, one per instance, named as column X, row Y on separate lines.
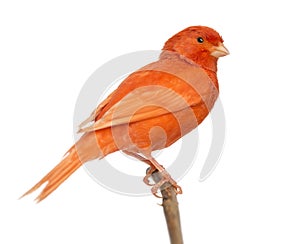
column 200, row 44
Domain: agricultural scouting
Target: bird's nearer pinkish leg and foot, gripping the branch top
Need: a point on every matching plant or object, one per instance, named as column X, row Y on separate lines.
column 165, row 177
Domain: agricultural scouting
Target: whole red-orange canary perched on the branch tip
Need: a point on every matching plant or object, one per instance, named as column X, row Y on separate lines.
column 151, row 109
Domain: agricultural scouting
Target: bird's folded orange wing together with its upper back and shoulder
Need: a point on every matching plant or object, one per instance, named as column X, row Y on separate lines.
column 155, row 90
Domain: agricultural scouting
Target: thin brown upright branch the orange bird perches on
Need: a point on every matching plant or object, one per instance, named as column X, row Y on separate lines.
column 171, row 210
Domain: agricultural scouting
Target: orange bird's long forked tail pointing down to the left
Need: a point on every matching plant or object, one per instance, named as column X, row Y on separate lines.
column 69, row 164
